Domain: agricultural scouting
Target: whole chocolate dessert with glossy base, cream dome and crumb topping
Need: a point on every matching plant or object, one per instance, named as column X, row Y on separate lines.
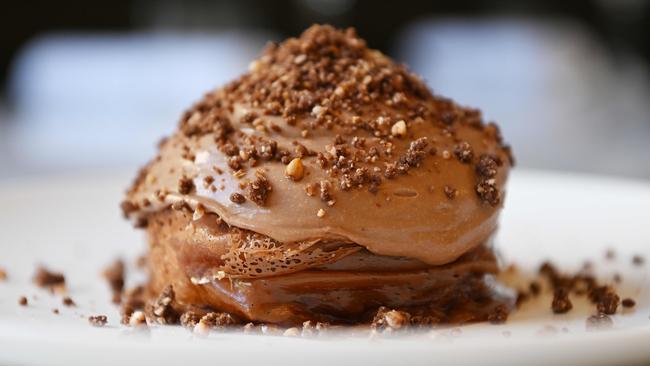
column 327, row 184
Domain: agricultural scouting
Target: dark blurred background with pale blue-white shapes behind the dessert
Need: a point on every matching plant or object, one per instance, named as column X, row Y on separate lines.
column 93, row 85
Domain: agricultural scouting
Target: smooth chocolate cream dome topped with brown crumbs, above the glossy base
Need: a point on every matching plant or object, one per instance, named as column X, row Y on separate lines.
column 325, row 139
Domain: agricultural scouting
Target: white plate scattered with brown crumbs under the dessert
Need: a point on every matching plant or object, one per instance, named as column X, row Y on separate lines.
column 73, row 224
